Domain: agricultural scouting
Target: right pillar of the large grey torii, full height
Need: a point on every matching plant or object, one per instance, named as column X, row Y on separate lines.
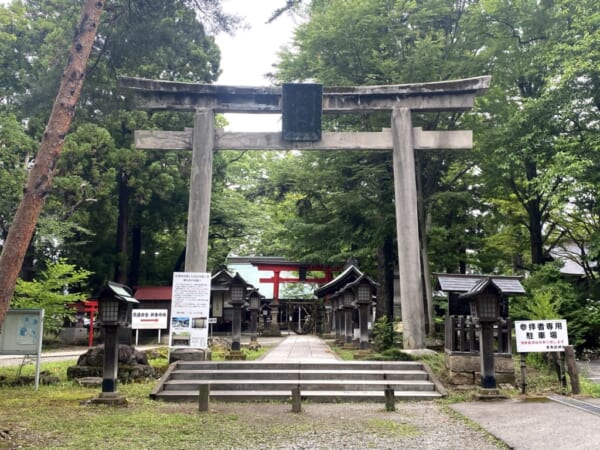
column 407, row 230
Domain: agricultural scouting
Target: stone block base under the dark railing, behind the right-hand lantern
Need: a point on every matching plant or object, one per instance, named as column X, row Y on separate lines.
column 465, row 368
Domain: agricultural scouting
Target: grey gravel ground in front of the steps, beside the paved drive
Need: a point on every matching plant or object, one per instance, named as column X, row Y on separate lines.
column 414, row 425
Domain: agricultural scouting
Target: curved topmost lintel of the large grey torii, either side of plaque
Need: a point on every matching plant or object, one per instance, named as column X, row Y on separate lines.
column 453, row 95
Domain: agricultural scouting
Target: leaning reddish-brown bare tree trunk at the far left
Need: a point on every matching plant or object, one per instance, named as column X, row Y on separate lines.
column 40, row 177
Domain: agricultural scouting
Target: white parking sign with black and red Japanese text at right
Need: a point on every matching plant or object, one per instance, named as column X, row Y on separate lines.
column 541, row 335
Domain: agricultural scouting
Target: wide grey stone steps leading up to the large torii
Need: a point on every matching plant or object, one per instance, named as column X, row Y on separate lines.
column 336, row 381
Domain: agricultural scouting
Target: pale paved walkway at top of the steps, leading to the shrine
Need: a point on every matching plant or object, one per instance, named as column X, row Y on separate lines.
column 300, row 348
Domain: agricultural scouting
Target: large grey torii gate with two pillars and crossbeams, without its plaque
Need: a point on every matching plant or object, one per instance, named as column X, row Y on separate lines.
column 402, row 139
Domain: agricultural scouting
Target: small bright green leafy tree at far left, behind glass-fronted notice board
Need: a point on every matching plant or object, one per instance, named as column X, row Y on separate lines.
column 56, row 287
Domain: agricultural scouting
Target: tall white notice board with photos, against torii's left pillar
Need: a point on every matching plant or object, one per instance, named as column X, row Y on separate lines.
column 190, row 306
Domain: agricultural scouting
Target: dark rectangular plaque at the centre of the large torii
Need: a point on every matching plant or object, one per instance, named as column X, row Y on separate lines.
column 301, row 106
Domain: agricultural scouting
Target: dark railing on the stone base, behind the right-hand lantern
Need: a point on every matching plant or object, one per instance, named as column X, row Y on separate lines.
column 462, row 335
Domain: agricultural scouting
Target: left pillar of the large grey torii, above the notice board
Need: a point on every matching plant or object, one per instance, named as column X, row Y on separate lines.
column 200, row 191
